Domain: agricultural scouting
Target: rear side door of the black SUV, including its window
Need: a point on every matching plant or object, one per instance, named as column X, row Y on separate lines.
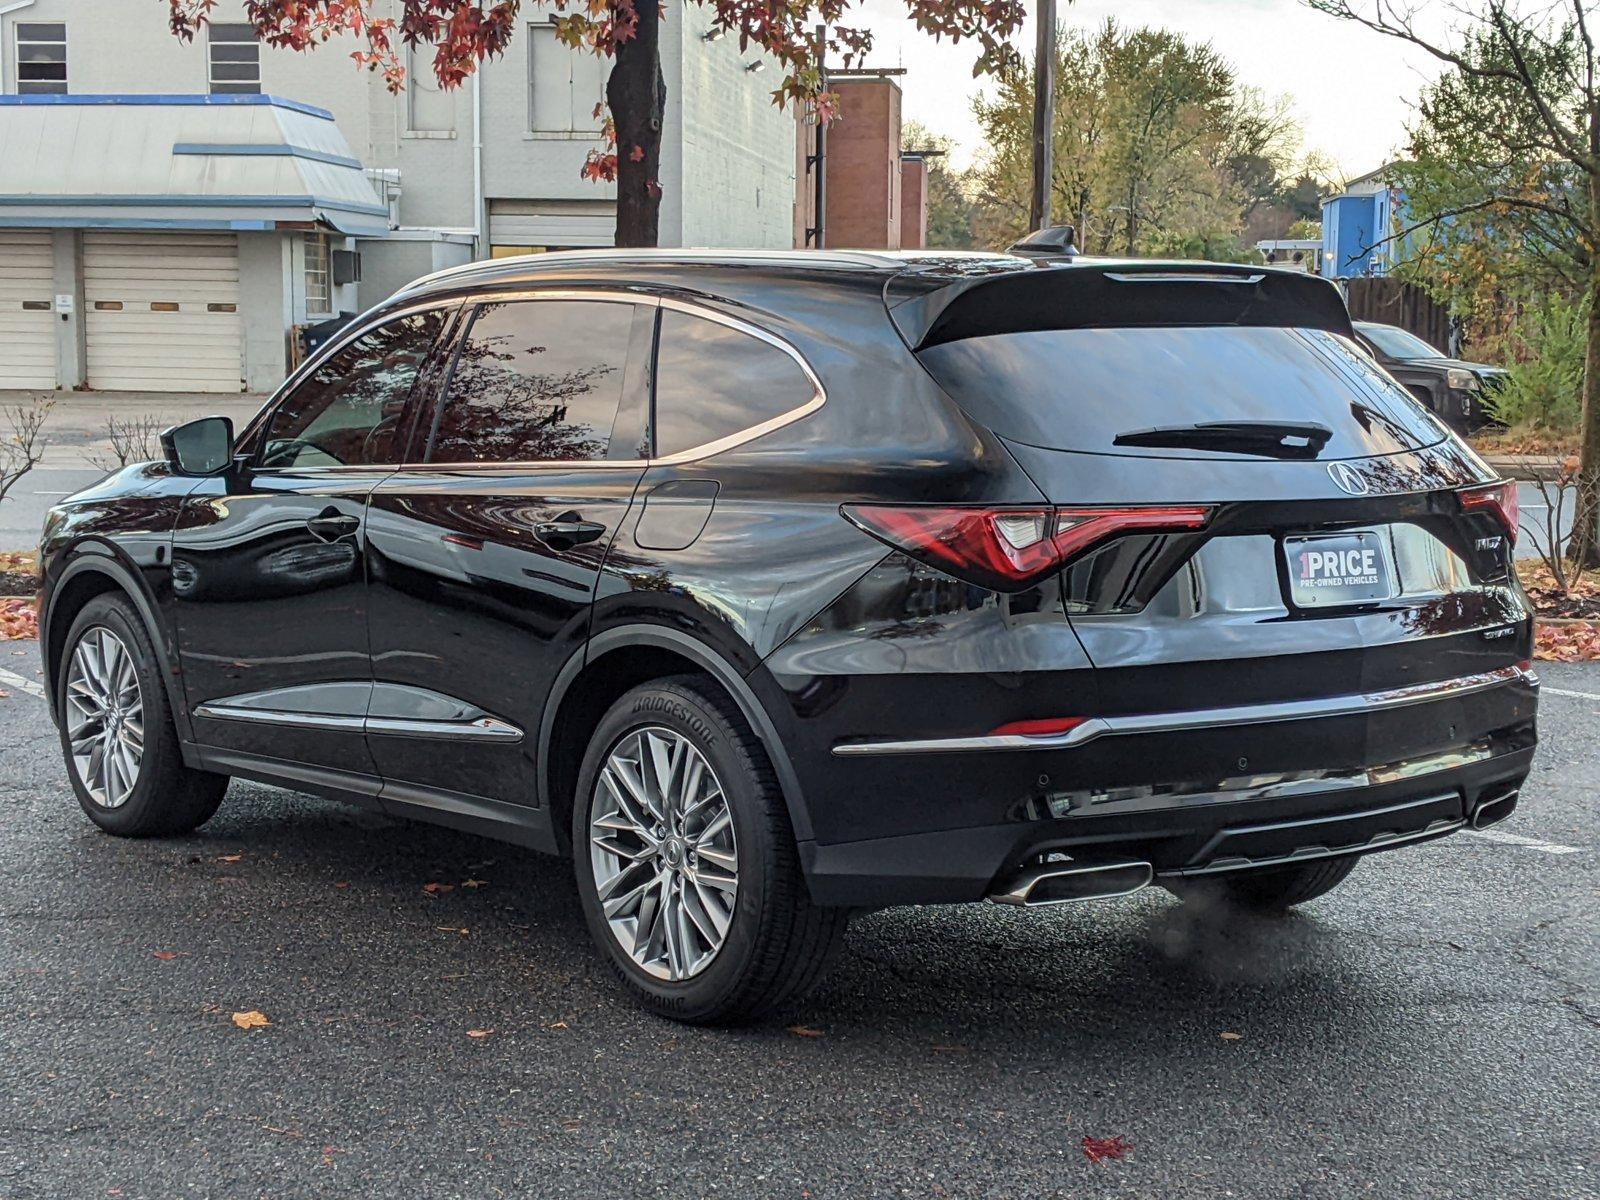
column 484, row 559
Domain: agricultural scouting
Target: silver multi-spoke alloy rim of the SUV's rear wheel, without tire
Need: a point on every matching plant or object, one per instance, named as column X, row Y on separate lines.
column 663, row 852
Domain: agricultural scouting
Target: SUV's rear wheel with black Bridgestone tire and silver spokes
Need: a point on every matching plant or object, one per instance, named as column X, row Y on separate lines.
column 775, row 943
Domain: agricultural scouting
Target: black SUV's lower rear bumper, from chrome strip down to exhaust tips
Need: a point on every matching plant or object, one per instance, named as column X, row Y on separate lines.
column 1241, row 788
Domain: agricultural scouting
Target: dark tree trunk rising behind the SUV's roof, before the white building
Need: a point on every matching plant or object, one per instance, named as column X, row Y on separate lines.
column 638, row 97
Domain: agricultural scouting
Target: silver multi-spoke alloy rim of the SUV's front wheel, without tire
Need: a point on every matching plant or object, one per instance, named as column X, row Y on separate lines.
column 105, row 714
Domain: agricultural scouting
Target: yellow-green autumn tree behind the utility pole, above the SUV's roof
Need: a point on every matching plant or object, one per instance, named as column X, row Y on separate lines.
column 1158, row 148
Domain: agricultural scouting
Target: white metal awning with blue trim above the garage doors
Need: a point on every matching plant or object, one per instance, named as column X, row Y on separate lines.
column 180, row 162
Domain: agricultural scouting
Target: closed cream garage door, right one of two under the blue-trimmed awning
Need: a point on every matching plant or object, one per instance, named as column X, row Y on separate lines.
column 162, row 313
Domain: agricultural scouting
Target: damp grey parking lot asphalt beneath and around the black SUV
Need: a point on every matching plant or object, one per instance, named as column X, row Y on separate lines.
column 1430, row 1030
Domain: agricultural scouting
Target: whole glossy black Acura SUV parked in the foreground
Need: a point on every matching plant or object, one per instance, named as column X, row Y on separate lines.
column 777, row 586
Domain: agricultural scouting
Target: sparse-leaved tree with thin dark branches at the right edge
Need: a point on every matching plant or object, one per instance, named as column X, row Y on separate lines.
column 1505, row 174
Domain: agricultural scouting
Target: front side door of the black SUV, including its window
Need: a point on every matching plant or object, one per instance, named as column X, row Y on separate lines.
column 270, row 590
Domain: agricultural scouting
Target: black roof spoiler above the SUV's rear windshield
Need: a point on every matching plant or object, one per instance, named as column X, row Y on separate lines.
column 1087, row 295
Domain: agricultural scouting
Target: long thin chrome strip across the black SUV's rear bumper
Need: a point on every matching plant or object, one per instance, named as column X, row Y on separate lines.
column 1204, row 719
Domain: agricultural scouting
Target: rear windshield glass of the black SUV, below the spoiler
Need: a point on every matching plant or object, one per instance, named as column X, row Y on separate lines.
column 1081, row 390
